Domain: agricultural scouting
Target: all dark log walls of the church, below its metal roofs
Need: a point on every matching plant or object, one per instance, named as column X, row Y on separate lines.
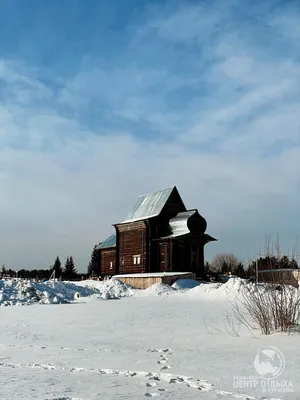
column 166, row 255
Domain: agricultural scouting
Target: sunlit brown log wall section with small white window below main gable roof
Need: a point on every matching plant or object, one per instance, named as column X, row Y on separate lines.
column 133, row 243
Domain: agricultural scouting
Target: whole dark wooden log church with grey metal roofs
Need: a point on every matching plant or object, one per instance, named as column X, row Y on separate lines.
column 159, row 234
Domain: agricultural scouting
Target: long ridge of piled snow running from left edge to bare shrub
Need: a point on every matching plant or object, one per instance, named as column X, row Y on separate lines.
column 19, row 292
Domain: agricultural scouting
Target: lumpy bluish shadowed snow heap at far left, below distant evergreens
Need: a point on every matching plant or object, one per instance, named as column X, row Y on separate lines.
column 21, row 292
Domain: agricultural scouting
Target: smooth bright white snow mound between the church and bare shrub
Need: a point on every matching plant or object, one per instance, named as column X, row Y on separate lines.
column 231, row 289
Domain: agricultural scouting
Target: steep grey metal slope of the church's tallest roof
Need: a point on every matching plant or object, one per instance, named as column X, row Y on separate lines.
column 149, row 205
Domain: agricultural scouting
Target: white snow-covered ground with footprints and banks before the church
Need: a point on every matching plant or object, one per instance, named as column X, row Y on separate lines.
column 117, row 343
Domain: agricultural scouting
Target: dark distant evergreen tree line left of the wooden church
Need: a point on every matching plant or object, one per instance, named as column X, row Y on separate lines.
column 67, row 271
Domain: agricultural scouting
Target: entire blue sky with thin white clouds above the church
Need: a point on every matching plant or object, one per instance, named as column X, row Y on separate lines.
column 102, row 101
